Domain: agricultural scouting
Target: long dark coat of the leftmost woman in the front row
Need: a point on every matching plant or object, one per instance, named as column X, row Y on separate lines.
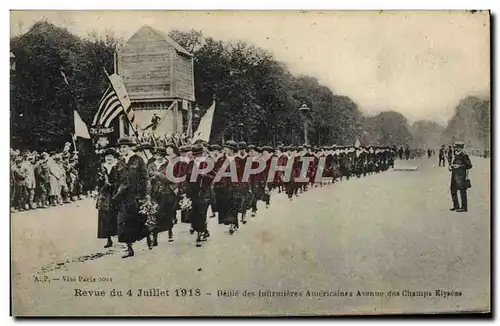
column 107, row 210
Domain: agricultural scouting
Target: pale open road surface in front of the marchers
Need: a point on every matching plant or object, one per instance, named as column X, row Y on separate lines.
column 381, row 235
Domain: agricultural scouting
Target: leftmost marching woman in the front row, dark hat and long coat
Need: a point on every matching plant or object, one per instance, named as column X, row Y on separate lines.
column 108, row 184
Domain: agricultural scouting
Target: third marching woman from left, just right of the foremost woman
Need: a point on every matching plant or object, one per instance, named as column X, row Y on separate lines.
column 162, row 193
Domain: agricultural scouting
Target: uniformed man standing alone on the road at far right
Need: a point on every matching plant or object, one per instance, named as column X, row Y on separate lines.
column 459, row 177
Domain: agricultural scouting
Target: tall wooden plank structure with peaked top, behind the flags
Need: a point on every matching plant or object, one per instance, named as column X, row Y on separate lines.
column 158, row 74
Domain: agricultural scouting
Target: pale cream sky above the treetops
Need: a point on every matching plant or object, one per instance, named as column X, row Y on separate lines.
column 418, row 63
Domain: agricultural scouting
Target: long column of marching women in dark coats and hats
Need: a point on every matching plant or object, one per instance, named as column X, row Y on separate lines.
column 145, row 190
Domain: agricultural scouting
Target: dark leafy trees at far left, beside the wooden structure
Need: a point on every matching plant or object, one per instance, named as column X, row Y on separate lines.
column 41, row 106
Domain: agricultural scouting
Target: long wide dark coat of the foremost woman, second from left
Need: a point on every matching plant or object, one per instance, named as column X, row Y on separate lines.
column 130, row 195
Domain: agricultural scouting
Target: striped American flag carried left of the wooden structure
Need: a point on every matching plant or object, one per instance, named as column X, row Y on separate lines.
column 110, row 108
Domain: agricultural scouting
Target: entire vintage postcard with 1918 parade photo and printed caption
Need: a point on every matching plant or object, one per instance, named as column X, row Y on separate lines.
column 250, row 163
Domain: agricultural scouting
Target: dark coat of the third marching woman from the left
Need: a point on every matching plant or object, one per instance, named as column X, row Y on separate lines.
column 162, row 193
